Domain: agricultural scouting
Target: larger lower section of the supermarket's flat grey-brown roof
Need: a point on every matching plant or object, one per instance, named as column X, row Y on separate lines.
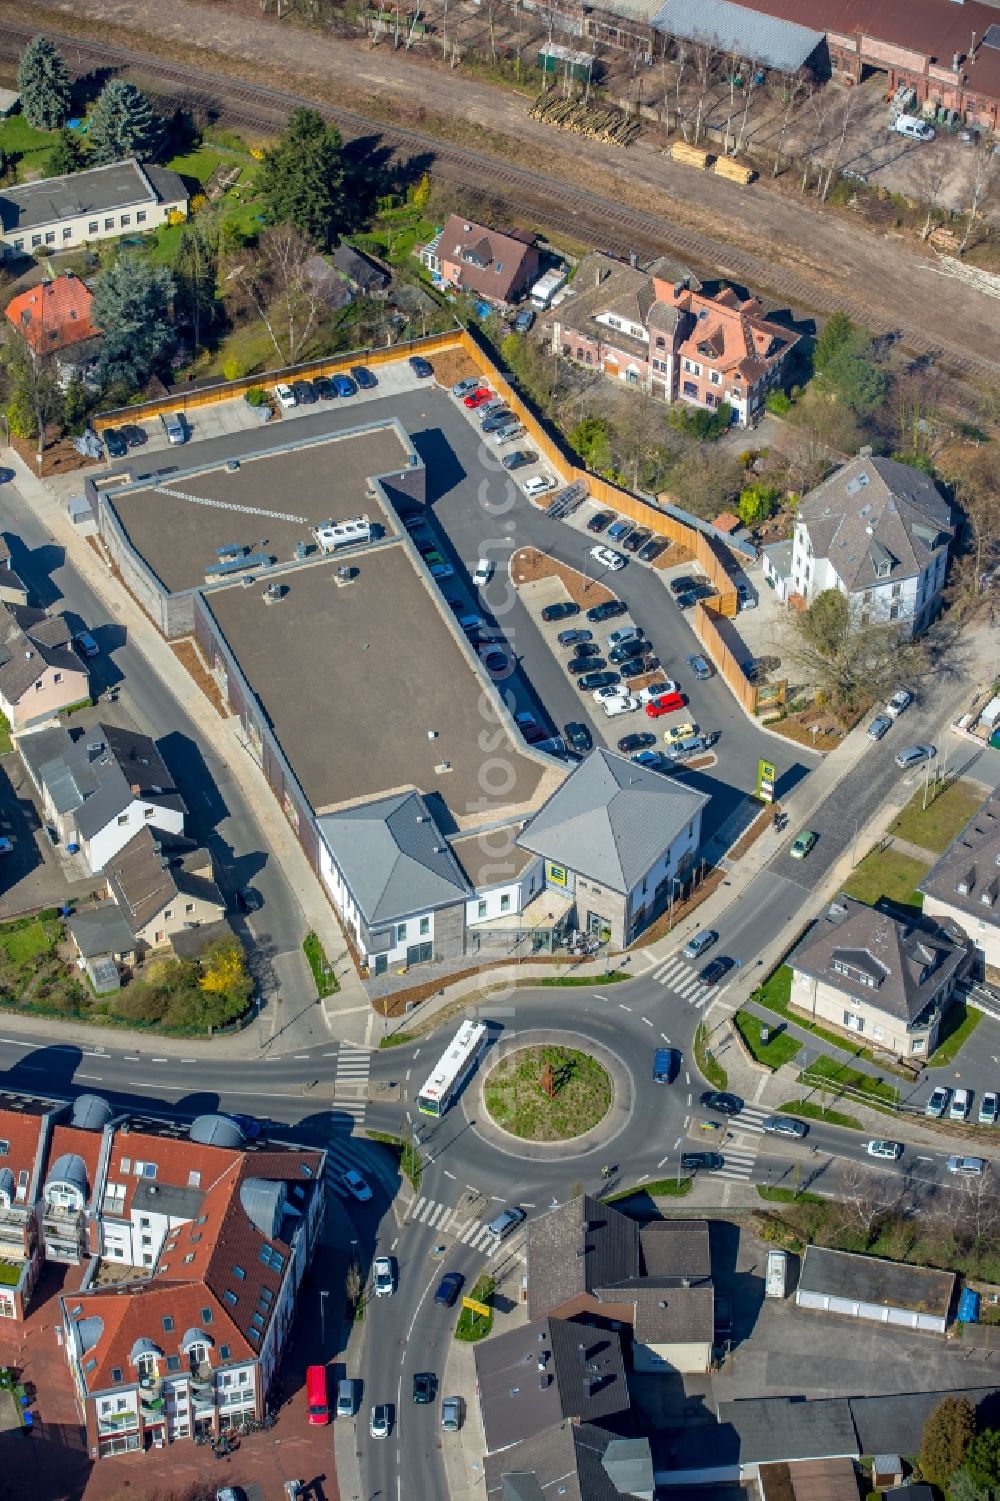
column 355, row 679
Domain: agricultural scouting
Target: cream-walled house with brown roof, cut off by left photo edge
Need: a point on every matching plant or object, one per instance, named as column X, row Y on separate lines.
column 40, row 672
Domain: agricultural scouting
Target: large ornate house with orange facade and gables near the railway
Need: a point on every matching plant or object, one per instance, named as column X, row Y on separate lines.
column 654, row 328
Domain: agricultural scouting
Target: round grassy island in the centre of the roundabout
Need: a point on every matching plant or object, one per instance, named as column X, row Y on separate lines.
column 547, row 1093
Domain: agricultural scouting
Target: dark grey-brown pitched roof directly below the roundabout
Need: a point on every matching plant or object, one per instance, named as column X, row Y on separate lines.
column 579, row 1248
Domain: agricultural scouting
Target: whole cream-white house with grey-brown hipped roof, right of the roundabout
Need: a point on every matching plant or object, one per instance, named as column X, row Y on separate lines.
column 881, row 978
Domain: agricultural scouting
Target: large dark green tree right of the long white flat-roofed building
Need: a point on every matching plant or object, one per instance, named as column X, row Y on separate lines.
column 301, row 181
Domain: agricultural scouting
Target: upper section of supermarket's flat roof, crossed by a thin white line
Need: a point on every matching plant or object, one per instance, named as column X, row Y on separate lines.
column 324, row 481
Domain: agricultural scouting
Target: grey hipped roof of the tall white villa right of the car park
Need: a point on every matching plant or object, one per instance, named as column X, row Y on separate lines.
column 875, row 513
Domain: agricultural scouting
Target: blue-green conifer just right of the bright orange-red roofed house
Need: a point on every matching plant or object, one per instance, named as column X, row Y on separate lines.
column 131, row 308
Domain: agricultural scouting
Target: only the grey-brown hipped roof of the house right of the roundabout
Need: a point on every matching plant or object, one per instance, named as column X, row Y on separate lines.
column 908, row 964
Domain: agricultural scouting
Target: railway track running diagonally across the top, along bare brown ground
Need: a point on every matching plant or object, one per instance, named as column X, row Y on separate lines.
column 576, row 212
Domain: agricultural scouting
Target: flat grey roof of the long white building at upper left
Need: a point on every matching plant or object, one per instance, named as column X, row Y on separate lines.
column 101, row 190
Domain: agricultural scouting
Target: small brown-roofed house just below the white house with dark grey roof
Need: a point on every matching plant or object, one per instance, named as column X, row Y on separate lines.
column 163, row 889
